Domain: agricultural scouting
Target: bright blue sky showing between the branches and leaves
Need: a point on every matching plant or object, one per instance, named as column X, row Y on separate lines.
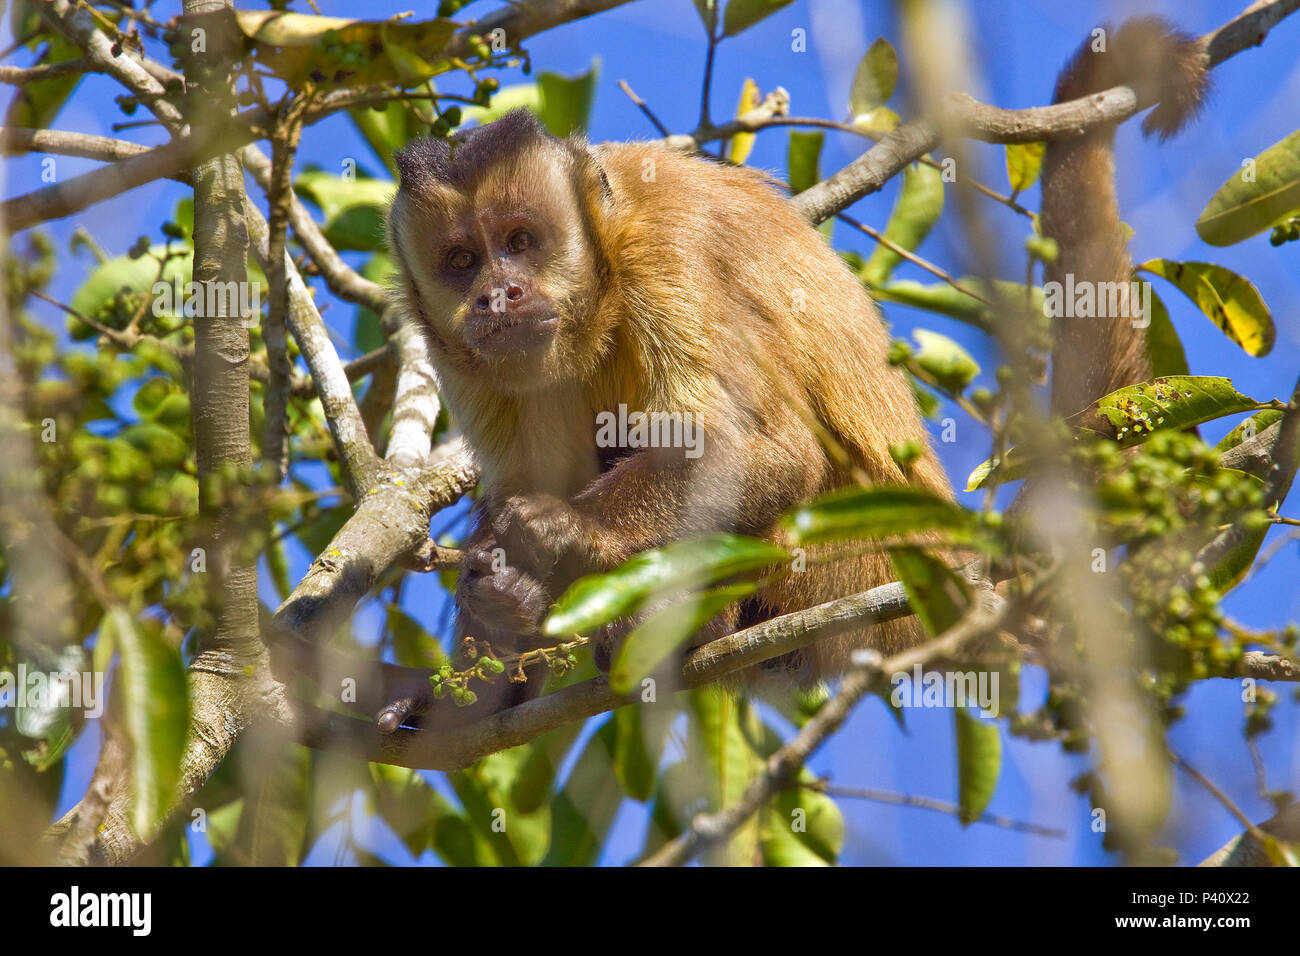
column 1019, row 47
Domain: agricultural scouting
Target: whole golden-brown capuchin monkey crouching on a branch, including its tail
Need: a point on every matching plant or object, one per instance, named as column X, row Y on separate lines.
column 562, row 285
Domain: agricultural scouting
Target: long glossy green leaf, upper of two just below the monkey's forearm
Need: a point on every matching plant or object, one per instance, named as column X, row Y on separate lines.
column 599, row 600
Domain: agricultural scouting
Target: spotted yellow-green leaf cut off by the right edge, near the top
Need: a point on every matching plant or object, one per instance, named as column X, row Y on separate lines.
column 1242, row 210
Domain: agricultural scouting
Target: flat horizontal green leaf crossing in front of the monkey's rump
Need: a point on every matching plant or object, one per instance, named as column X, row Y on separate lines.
column 881, row 512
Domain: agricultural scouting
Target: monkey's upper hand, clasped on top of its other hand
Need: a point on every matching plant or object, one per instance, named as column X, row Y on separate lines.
column 549, row 539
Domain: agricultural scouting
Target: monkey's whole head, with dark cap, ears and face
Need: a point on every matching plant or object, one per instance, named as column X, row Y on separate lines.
column 496, row 235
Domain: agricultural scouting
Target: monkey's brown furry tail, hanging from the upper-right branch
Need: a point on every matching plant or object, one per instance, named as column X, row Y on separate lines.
column 1095, row 356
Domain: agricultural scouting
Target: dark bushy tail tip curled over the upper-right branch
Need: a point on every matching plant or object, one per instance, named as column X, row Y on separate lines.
column 1162, row 64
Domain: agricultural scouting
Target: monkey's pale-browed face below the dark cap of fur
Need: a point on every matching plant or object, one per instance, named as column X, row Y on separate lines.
column 502, row 270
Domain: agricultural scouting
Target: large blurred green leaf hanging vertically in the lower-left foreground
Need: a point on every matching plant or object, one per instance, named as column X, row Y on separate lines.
column 157, row 715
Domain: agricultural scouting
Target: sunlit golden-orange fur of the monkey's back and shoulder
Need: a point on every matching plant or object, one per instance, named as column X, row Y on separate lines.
column 794, row 297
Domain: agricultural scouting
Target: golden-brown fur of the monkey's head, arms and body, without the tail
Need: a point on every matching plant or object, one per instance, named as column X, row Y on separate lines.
column 671, row 272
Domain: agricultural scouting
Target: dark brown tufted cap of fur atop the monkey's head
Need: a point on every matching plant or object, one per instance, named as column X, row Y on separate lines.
column 460, row 161
